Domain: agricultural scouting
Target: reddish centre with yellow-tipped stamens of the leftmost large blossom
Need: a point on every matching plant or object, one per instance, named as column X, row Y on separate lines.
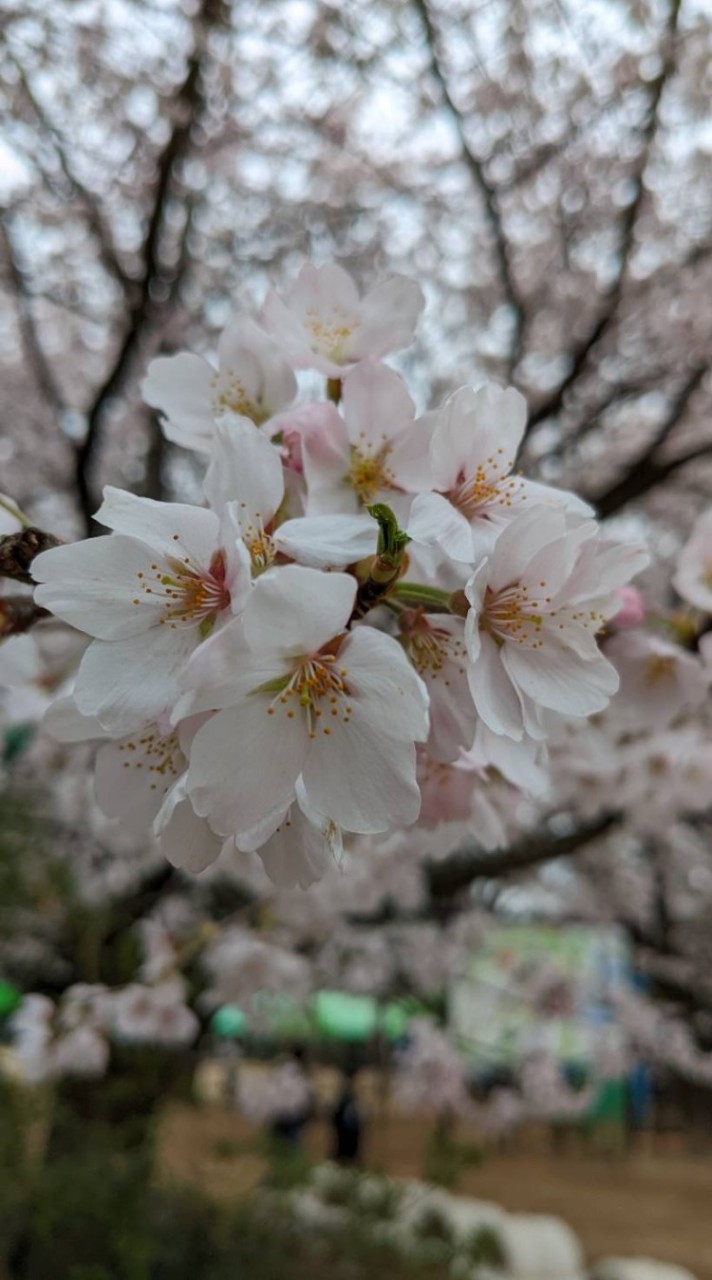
column 189, row 592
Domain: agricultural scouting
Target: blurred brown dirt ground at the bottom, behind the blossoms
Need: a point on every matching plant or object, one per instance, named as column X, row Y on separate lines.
column 654, row 1204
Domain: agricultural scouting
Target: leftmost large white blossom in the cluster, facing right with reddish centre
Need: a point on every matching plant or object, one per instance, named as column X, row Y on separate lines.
column 148, row 595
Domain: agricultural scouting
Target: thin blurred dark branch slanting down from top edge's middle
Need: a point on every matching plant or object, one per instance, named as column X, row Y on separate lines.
column 487, row 191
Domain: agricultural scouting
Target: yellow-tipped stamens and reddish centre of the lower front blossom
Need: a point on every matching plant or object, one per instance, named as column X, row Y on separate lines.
column 317, row 689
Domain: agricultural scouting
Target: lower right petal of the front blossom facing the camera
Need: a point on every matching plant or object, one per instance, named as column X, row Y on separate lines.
column 363, row 780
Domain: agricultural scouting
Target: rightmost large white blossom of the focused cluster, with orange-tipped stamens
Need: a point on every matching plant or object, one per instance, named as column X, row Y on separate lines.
column 537, row 605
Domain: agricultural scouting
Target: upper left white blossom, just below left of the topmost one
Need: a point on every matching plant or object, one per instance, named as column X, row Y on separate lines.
column 253, row 382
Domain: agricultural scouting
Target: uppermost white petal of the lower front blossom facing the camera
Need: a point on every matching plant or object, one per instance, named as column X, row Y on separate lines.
column 296, row 611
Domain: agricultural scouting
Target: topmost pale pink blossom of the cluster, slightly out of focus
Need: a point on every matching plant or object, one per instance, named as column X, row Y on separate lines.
column 323, row 323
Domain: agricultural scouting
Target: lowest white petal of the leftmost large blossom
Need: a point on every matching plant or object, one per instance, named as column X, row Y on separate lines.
column 130, row 683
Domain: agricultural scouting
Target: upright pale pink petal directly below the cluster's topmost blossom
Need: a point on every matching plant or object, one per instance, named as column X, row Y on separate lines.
column 376, row 405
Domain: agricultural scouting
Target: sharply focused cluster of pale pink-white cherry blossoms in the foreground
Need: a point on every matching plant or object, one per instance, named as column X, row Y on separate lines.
column 371, row 616
